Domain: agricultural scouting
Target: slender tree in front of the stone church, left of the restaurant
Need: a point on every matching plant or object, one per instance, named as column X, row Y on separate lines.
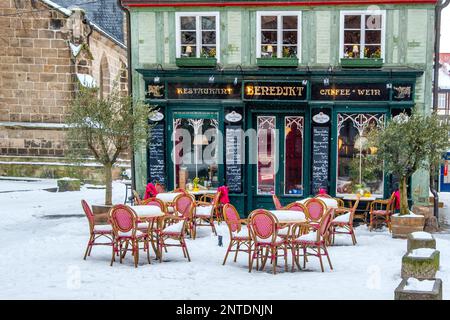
column 104, row 128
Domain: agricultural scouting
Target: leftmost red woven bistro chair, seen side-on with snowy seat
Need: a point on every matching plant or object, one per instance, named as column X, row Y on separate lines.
column 96, row 231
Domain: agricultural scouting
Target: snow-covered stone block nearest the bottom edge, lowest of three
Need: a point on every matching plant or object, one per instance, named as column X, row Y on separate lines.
column 413, row 289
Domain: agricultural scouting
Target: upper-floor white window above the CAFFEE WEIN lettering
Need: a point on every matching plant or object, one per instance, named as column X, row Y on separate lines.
column 362, row 34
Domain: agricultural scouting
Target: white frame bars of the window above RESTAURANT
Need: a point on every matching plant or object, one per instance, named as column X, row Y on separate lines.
column 198, row 31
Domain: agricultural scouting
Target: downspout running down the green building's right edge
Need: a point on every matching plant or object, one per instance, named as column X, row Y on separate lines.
column 437, row 48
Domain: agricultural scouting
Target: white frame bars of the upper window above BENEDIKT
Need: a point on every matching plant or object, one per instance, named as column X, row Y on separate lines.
column 279, row 14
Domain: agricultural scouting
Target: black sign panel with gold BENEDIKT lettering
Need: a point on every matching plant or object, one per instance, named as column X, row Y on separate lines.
column 264, row 90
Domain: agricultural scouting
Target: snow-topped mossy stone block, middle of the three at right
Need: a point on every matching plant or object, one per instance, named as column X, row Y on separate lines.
column 420, row 263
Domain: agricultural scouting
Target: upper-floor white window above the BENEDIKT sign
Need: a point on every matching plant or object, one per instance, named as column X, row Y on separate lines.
column 278, row 34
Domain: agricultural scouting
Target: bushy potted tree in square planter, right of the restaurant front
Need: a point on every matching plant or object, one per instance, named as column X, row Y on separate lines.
column 407, row 144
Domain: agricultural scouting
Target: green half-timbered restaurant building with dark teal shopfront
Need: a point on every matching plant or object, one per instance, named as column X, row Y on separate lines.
column 277, row 97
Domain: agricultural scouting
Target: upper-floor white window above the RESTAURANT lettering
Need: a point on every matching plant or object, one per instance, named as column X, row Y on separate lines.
column 197, row 34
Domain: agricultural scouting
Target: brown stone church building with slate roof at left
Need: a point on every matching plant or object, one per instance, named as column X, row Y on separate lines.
column 47, row 47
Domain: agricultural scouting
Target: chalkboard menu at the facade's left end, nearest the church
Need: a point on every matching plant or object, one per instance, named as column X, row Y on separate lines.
column 156, row 159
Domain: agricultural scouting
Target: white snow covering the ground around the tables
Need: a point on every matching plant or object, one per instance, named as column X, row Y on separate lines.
column 44, row 236
